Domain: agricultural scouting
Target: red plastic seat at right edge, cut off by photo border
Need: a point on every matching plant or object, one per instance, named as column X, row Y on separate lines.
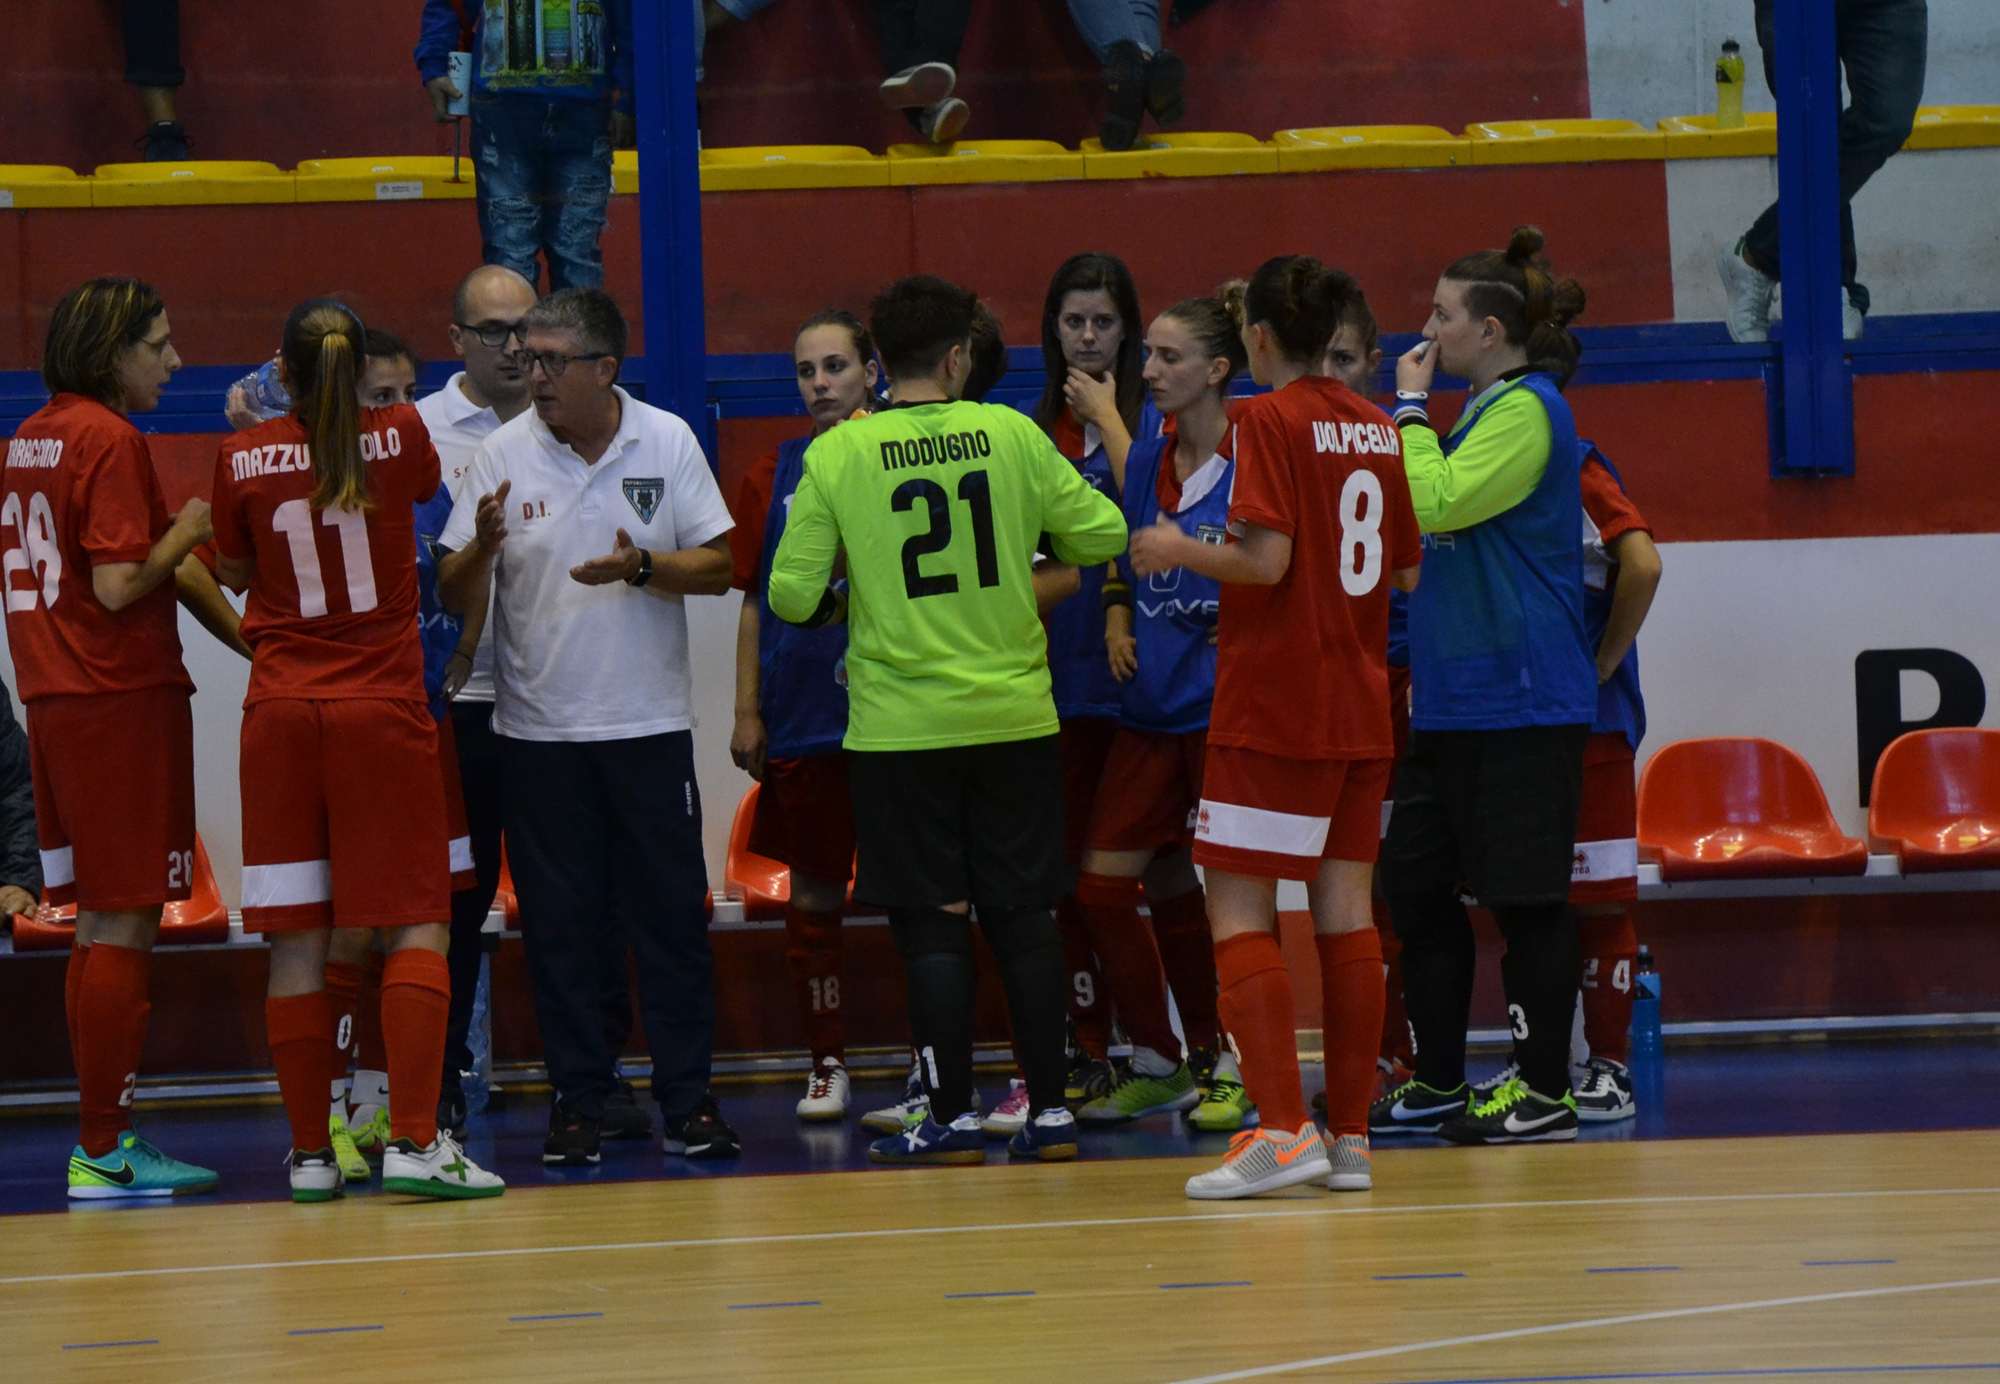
column 1937, row 801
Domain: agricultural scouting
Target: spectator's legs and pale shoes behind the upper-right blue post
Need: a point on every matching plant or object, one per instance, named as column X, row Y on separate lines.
column 1883, row 49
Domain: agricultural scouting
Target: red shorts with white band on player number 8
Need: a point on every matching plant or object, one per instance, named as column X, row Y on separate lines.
column 1279, row 819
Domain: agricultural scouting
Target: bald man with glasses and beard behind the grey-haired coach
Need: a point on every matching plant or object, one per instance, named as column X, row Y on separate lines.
column 487, row 309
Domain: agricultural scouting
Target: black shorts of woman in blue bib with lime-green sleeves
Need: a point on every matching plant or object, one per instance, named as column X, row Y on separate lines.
column 1487, row 811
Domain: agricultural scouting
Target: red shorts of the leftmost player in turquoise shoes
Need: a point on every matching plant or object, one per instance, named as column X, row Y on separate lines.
column 115, row 797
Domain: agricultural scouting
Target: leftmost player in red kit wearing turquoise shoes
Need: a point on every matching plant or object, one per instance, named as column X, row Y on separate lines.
column 91, row 563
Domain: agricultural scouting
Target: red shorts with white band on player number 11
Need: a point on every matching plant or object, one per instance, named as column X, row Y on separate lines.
column 343, row 817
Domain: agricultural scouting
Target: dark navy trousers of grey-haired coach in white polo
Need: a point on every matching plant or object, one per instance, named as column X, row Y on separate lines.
column 605, row 843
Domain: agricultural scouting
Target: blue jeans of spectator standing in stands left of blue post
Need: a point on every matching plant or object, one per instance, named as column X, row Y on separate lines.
column 545, row 181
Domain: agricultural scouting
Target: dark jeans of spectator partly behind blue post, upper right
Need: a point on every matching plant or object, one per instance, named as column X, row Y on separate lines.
column 1883, row 49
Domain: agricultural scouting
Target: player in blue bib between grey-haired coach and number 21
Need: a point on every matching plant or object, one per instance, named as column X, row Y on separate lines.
column 793, row 707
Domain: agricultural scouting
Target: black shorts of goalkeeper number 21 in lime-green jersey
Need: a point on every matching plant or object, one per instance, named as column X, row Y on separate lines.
column 977, row 825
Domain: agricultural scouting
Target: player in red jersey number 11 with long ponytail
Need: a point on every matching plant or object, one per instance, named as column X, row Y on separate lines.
column 343, row 799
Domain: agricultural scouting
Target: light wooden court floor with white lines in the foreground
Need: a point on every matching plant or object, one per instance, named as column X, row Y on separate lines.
column 1803, row 1257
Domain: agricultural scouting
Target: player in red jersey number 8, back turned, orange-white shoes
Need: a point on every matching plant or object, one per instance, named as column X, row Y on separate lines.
column 1299, row 747
